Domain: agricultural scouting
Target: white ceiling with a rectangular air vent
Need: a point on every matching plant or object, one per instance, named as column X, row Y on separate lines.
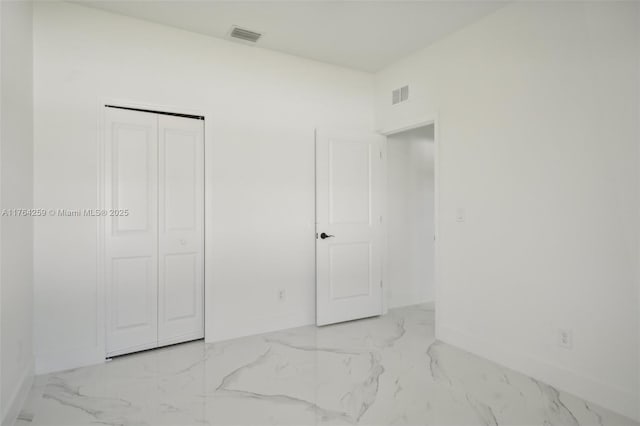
column 363, row 35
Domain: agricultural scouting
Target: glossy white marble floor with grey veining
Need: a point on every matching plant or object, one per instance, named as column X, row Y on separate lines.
column 379, row 371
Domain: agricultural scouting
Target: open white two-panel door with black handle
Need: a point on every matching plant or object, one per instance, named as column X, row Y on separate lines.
column 349, row 226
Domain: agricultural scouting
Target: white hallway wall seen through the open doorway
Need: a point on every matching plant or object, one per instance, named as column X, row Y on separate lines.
column 410, row 217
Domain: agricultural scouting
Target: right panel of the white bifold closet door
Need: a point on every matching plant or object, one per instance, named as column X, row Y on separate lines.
column 181, row 230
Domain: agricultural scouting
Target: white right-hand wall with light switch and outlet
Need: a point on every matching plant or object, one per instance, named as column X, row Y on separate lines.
column 538, row 141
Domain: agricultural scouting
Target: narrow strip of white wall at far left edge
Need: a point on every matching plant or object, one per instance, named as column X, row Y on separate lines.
column 16, row 191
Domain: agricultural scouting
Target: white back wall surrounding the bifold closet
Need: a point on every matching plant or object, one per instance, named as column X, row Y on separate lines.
column 262, row 106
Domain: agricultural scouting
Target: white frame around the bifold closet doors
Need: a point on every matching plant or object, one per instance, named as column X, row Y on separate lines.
column 101, row 300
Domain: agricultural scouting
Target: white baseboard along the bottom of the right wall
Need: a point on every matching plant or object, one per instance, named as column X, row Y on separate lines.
column 615, row 399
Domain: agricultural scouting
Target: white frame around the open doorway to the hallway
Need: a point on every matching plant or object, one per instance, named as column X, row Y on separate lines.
column 427, row 120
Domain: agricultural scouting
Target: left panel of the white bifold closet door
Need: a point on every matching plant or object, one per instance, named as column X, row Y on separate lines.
column 131, row 243
